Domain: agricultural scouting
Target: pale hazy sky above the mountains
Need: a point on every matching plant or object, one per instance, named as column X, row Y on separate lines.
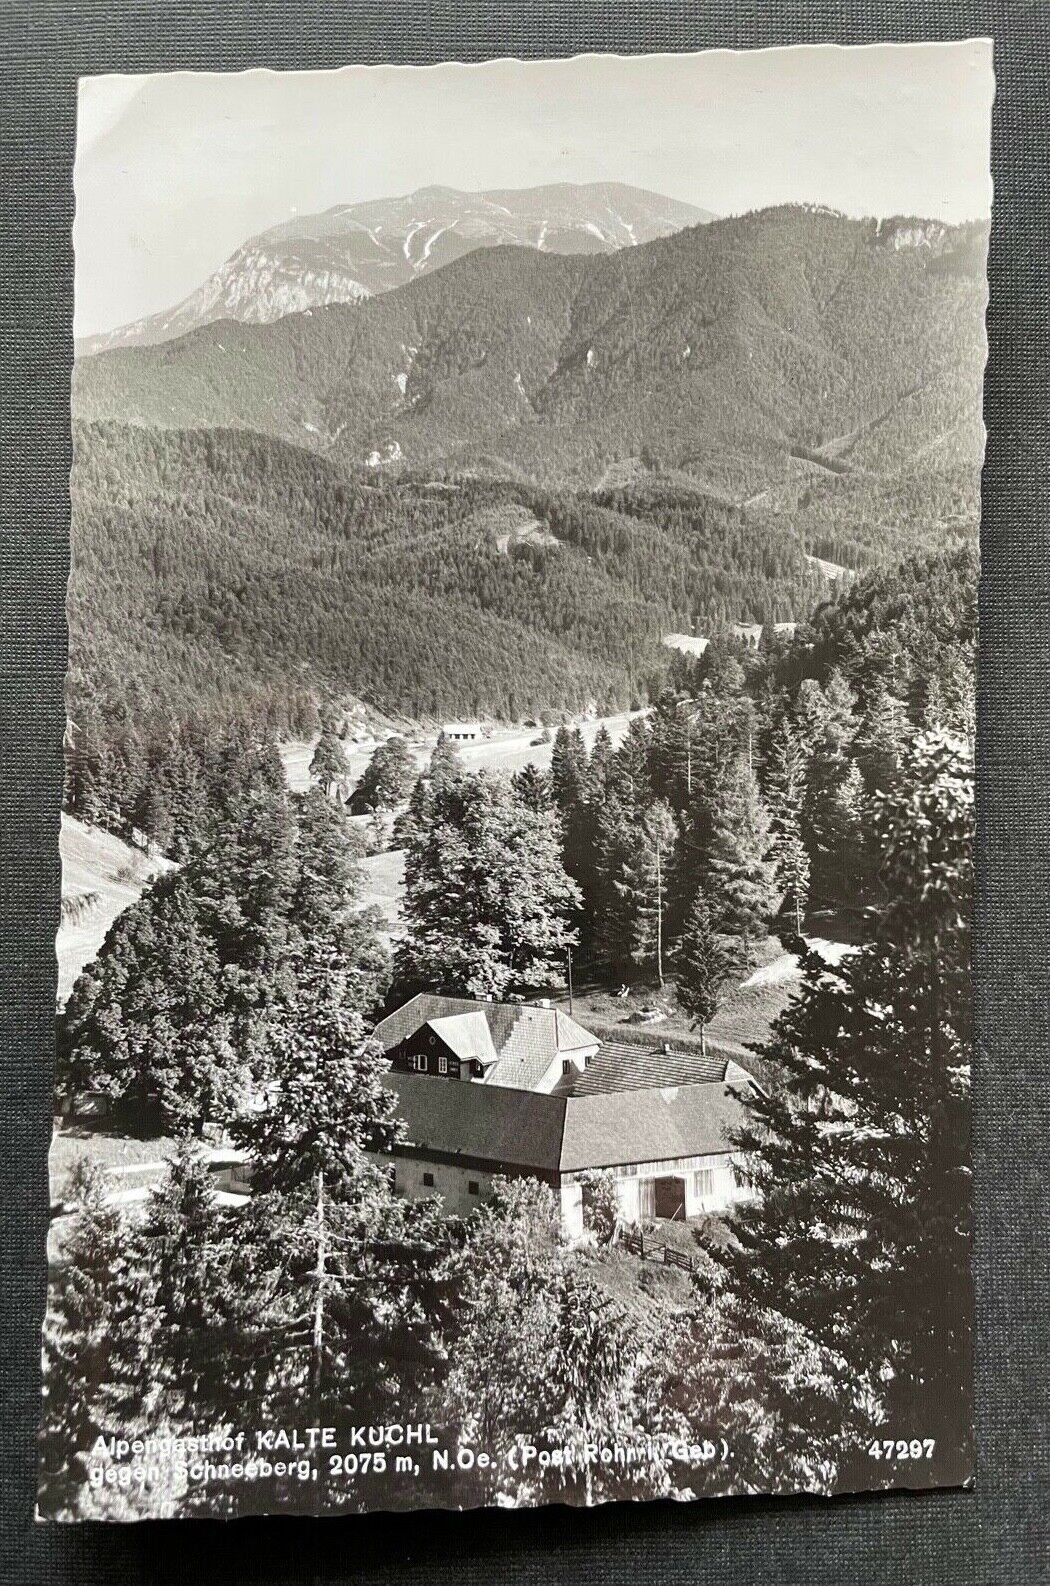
column 177, row 170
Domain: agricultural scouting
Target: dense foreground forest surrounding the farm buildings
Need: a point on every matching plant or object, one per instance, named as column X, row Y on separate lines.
column 832, row 775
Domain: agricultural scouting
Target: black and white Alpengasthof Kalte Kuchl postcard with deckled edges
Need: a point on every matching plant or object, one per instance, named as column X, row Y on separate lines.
column 515, row 1000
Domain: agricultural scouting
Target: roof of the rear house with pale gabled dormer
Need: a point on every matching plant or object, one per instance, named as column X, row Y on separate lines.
column 526, row 1038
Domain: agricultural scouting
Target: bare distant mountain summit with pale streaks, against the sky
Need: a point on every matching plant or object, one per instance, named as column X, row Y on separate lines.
column 354, row 251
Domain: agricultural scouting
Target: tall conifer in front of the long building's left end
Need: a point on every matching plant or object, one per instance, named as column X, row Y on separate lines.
column 342, row 1276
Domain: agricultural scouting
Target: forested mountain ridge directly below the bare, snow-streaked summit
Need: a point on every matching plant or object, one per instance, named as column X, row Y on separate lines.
column 770, row 354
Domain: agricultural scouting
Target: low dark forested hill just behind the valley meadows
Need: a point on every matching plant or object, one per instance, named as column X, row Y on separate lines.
column 218, row 572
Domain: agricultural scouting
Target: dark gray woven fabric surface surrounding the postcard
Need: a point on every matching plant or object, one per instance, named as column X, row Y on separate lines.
column 998, row 1533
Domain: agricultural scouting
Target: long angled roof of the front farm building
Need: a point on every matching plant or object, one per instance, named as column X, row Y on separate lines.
column 548, row 1135
